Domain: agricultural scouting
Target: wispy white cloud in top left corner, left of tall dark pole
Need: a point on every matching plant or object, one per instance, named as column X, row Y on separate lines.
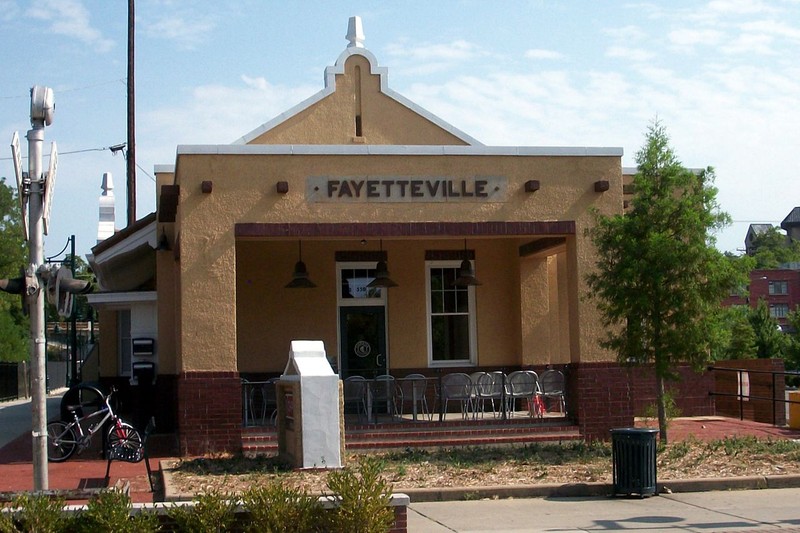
column 70, row 18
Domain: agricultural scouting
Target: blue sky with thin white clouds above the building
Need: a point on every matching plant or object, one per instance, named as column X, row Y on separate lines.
column 722, row 75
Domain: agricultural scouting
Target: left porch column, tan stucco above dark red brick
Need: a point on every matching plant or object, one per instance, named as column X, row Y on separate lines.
column 209, row 387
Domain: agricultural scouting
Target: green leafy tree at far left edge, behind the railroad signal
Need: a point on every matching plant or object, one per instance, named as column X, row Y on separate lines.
column 13, row 256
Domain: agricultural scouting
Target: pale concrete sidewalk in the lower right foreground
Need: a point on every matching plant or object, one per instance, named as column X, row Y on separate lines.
column 736, row 511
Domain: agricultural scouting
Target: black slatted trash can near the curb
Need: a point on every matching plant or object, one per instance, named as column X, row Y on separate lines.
column 633, row 452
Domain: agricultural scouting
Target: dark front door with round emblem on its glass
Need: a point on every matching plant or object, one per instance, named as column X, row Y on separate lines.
column 363, row 341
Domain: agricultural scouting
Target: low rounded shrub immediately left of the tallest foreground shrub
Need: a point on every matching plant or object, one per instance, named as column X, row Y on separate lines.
column 277, row 508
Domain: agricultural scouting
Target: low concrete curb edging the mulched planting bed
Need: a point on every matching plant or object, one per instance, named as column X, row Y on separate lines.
column 548, row 490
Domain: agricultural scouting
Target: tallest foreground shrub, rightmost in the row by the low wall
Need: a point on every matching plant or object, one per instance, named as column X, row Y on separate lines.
column 363, row 497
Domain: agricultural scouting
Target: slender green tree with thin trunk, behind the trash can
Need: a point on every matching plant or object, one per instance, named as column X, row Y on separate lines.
column 659, row 279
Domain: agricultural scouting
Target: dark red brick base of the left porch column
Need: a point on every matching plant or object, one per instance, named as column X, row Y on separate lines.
column 209, row 412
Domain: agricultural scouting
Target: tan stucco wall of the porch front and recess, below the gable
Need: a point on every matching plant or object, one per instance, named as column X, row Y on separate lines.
column 215, row 271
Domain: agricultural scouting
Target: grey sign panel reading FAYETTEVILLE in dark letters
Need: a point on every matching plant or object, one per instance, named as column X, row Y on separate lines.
column 406, row 189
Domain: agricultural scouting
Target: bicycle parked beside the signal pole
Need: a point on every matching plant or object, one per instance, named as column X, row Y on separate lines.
column 64, row 438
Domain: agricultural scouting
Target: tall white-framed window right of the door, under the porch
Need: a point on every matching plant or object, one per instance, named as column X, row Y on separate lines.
column 451, row 316
